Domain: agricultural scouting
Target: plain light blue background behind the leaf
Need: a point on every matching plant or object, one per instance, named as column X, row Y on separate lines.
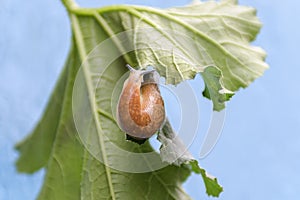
column 257, row 156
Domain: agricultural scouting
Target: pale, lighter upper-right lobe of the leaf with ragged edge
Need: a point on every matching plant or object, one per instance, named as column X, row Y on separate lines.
column 181, row 42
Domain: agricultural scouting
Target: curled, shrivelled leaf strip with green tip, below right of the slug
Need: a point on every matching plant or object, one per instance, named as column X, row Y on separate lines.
column 173, row 151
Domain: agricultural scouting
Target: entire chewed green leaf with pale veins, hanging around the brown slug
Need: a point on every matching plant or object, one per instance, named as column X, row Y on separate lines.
column 211, row 39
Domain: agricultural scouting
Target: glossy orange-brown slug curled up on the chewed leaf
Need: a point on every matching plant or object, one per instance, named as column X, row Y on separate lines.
column 140, row 109
